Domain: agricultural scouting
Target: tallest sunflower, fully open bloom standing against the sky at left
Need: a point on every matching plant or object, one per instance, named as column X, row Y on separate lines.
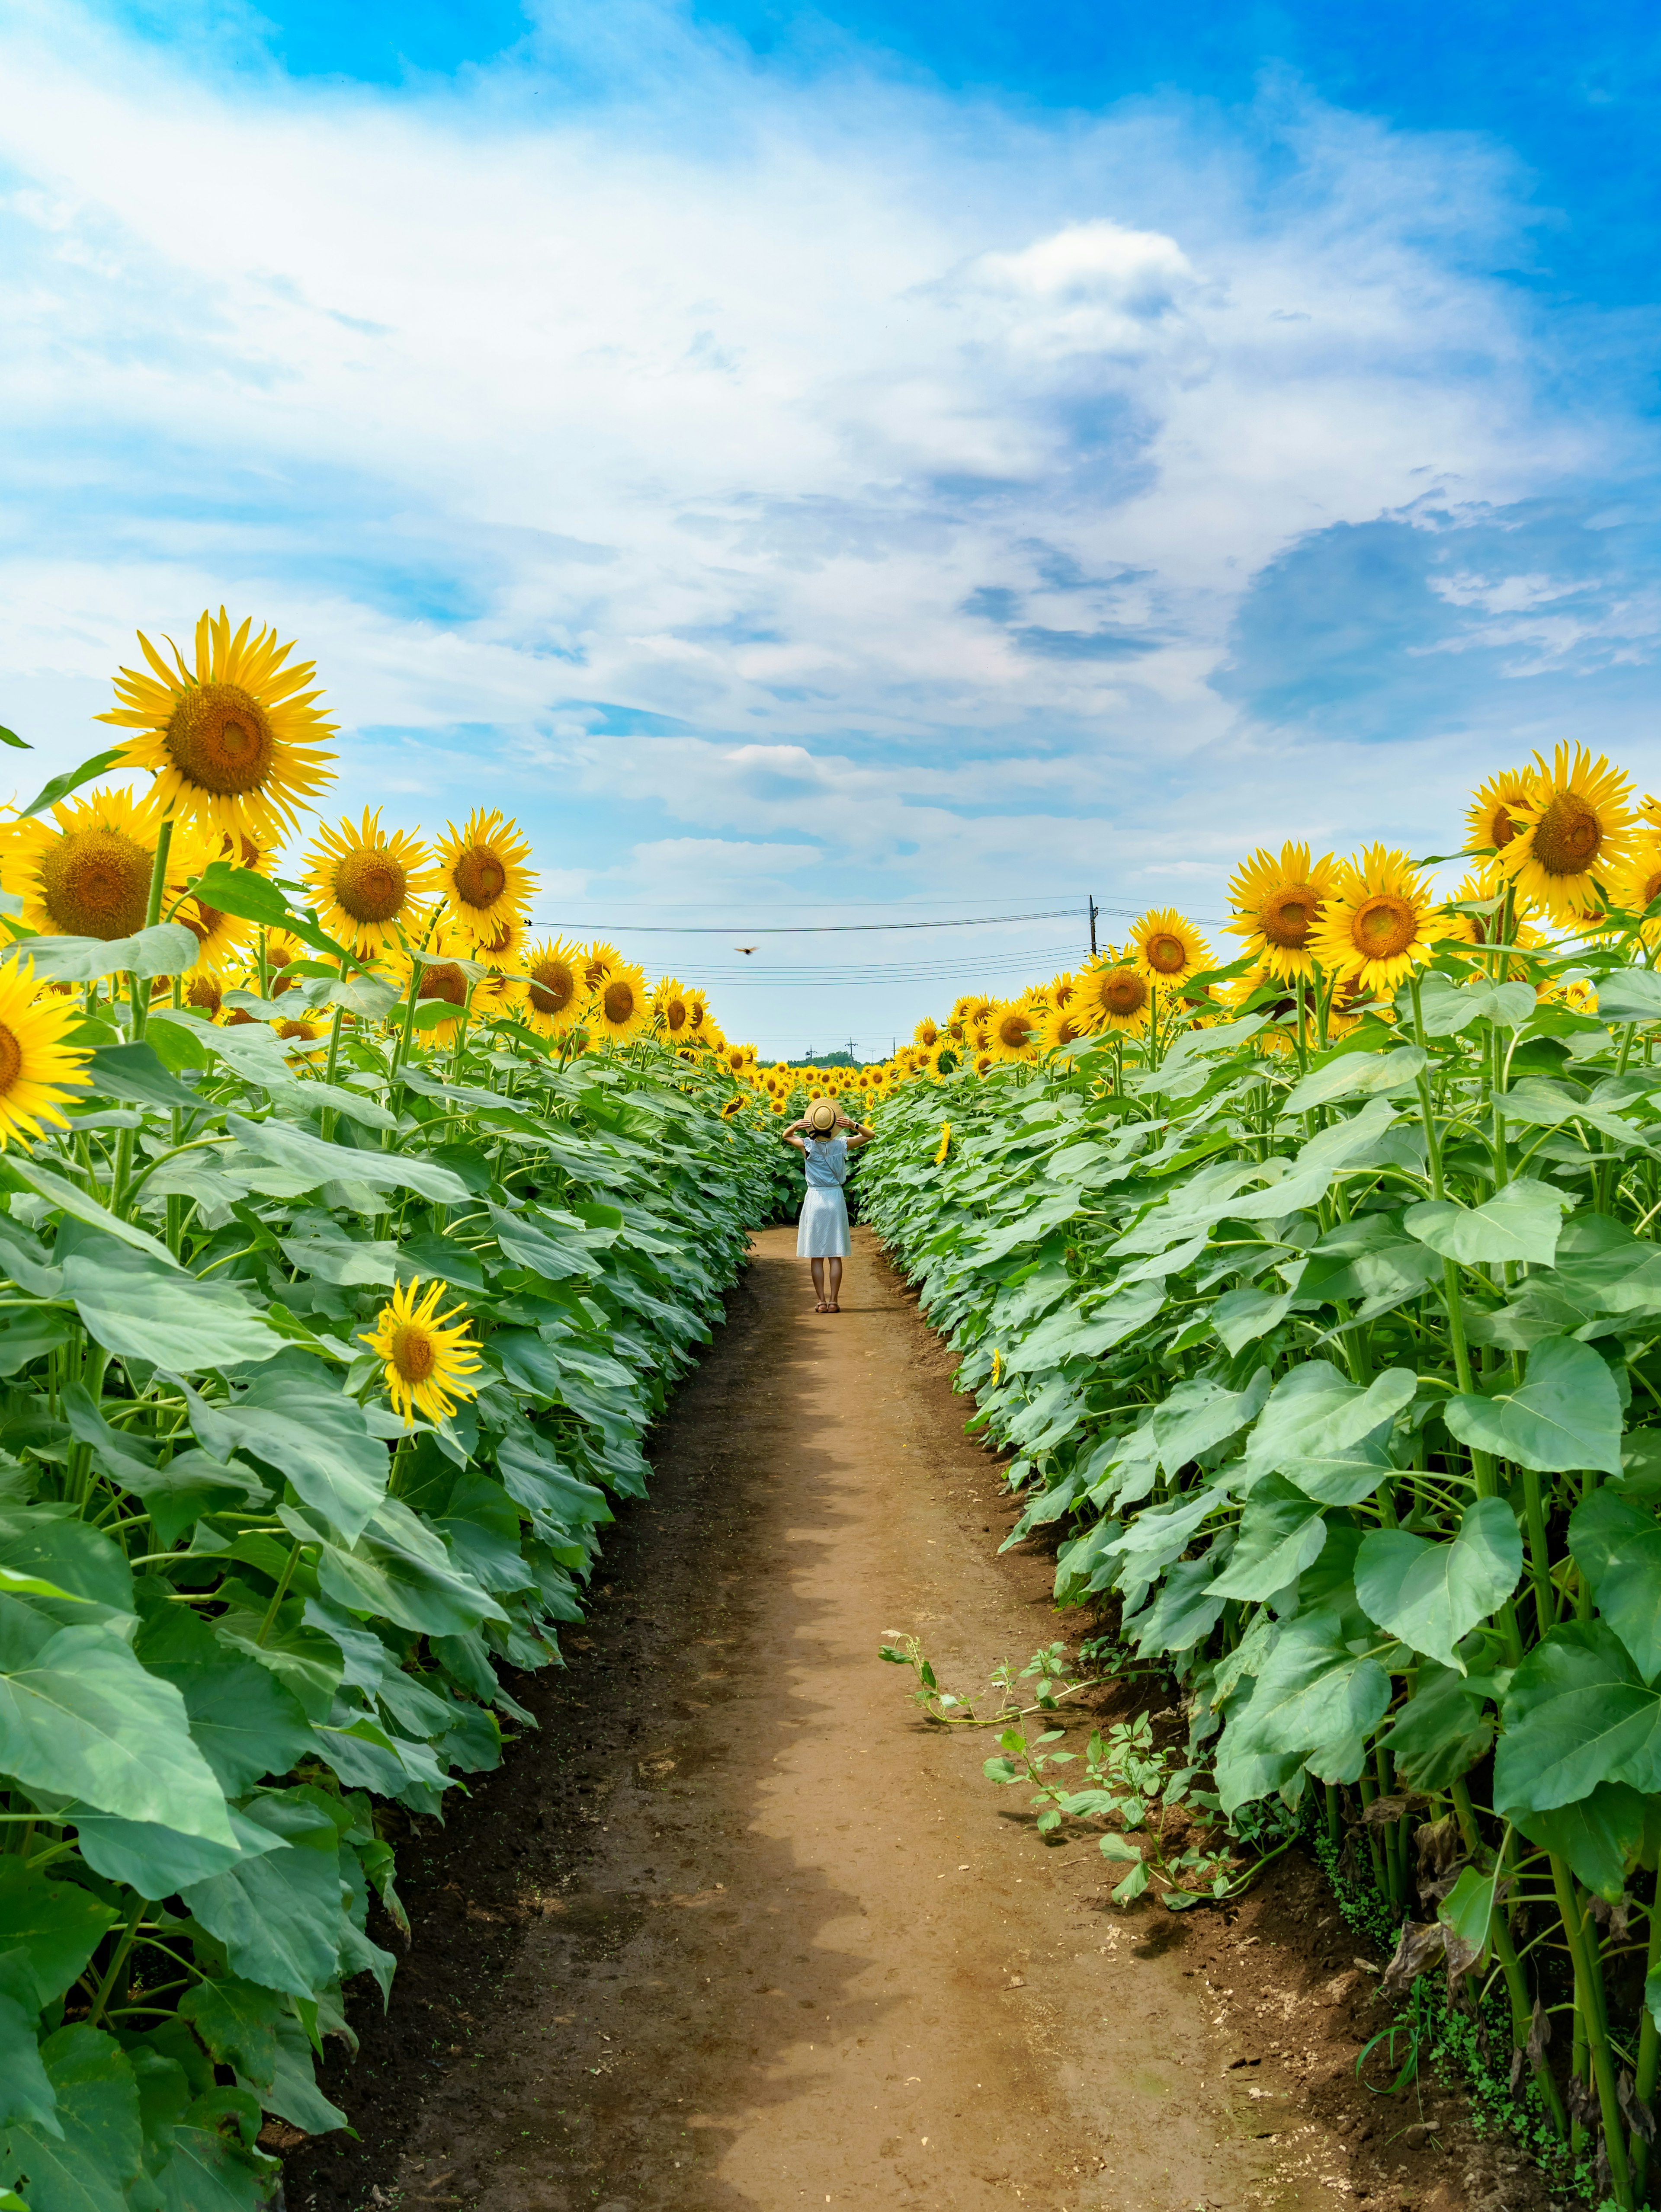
column 236, row 744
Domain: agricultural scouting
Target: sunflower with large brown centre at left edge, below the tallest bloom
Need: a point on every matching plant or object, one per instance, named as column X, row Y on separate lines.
column 87, row 873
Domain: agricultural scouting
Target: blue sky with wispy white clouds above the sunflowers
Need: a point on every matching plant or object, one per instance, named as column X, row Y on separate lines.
column 808, row 461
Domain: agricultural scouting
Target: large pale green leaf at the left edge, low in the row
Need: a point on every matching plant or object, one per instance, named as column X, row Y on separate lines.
column 87, row 1720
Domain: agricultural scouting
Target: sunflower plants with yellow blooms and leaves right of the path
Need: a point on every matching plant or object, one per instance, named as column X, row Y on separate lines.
column 1319, row 1302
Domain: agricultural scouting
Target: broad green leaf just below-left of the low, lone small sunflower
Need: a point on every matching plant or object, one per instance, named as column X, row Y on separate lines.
column 309, row 1432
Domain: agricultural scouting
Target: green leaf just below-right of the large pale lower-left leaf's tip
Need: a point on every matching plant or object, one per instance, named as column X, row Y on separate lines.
column 280, row 1917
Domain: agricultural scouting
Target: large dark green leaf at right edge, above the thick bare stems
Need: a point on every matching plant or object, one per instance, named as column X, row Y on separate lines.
column 1578, row 1713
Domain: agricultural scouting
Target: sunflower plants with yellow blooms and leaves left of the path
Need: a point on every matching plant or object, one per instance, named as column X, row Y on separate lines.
column 344, row 1266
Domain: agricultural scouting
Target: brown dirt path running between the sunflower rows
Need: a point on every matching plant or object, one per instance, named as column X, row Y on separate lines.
column 740, row 1932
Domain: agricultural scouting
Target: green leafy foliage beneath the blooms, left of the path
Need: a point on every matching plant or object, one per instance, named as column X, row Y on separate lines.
column 242, row 1607
